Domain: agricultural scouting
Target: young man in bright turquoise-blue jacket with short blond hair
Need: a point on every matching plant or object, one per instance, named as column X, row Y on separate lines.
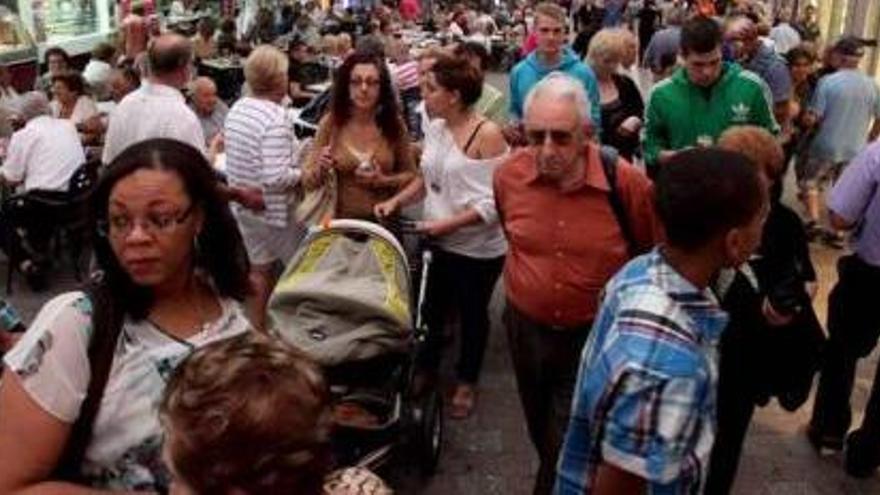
column 551, row 55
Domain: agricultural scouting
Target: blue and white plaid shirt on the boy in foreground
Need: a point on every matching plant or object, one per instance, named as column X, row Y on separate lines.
column 645, row 395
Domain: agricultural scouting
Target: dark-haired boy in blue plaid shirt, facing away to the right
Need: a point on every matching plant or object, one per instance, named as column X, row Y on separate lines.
column 644, row 407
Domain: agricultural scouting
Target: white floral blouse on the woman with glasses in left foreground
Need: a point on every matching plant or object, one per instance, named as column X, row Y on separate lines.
column 51, row 360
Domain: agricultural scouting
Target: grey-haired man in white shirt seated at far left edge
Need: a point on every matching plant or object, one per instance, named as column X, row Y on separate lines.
column 41, row 159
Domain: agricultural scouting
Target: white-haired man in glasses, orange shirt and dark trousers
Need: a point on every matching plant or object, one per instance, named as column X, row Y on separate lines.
column 570, row 226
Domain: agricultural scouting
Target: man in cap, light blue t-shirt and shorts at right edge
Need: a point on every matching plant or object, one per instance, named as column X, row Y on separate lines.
column 844, row 105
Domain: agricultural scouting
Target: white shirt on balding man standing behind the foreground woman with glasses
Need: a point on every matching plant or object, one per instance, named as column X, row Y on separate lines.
column 152, row 111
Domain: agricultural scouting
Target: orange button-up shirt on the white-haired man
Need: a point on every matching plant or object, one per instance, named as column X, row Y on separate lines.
column 564, row 246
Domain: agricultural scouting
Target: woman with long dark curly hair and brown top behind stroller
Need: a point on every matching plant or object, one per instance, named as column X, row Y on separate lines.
column 362, row 138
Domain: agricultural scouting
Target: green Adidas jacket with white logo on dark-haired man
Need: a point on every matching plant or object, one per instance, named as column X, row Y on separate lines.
column 680, row 114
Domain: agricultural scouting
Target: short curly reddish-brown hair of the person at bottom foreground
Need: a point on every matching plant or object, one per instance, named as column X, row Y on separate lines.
column 251, row 413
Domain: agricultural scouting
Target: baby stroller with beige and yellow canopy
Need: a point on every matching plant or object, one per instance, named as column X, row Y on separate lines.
column 346, row 300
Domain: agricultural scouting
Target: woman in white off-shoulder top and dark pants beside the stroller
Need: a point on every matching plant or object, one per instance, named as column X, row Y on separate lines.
column 461, row 151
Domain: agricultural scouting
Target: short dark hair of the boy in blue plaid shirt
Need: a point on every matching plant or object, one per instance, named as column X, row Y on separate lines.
column 703, row 193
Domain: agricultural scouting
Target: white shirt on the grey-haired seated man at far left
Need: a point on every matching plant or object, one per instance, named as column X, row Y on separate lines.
column 44, row 154
